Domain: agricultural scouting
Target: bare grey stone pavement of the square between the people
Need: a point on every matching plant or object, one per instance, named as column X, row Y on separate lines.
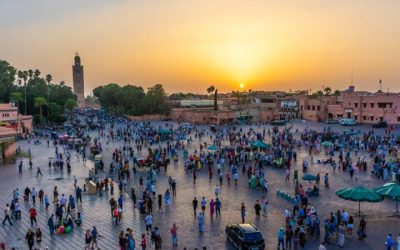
column 96, row 210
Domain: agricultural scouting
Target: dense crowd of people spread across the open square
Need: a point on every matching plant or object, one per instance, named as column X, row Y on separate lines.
column 146, row 153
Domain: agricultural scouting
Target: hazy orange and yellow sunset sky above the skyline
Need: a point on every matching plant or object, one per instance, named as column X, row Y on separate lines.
column 186, row 45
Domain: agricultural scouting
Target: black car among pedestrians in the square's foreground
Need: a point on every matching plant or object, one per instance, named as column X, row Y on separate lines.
column 245, row 236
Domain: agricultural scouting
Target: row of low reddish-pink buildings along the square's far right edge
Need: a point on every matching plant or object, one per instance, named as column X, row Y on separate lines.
column 262, row 107
